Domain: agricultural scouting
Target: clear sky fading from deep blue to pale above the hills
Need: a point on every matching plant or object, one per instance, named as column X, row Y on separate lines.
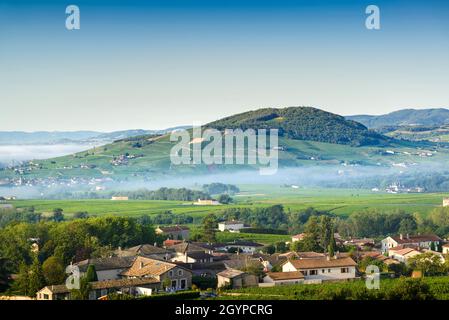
column 154, row 64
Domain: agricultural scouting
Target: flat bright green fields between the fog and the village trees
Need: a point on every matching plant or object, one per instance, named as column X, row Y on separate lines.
column 339, row 201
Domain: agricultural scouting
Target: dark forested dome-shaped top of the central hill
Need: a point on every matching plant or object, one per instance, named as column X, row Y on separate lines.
column 305, row 123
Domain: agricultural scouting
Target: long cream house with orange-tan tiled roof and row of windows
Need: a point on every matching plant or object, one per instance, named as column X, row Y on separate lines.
column 323, row 269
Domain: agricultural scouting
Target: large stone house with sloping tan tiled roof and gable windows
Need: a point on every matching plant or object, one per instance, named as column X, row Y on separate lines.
column 180, row 278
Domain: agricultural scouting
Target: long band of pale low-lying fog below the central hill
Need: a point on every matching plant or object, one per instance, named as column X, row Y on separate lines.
column 359, row 177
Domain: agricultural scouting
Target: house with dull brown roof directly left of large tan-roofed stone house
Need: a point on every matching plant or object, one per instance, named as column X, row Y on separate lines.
column 106, row 268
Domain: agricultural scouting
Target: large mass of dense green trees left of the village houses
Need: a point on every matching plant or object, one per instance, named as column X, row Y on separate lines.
column 63, row 242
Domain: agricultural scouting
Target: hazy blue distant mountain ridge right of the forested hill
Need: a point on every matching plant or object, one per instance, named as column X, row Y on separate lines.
column 421, row 117
